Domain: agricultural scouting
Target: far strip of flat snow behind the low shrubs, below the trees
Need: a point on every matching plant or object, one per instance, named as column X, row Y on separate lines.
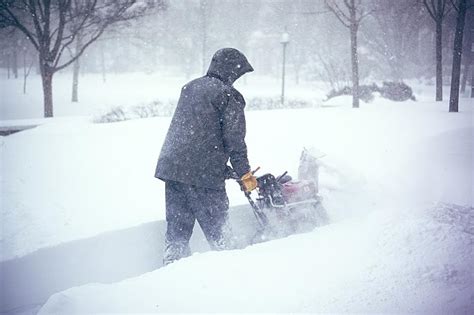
column 125, row 90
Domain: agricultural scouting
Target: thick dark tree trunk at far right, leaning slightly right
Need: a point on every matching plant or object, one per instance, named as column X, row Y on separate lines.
column 457, row 55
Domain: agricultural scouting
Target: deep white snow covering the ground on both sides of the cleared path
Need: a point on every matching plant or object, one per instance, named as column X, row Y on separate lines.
column 397, row 181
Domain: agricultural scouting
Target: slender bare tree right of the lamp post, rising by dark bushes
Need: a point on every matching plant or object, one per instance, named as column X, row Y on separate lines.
column 350, row 13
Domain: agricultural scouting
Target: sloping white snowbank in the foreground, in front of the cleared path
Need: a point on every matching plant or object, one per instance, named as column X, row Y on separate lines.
column 403, row 262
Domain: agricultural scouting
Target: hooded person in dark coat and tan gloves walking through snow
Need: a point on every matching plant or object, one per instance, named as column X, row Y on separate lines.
column 207, row 129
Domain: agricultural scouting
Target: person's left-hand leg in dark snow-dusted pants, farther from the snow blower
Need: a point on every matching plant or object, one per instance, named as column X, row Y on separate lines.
column 180, row 222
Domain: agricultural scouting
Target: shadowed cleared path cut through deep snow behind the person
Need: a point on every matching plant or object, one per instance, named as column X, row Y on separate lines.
column 108, row 257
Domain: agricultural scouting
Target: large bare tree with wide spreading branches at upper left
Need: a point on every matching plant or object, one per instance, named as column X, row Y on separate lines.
column 52, row 27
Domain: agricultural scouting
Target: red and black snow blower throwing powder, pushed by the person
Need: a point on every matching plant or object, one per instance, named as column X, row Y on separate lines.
column 284, row 206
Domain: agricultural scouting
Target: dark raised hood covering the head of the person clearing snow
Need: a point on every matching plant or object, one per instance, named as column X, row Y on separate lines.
column 229, row 64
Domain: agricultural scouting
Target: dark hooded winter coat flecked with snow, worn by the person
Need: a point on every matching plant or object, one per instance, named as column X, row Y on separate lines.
column 208, row 126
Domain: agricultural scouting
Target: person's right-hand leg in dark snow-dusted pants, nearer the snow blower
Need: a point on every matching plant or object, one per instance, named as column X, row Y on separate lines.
column 210, row 207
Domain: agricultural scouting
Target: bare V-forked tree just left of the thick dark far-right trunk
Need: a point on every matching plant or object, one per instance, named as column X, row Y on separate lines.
column 438, row 9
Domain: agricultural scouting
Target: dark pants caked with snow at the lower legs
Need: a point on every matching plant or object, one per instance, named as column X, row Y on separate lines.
column 187, row 203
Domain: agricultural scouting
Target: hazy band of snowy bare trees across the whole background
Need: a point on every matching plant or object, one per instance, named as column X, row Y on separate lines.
column 341, row 42
